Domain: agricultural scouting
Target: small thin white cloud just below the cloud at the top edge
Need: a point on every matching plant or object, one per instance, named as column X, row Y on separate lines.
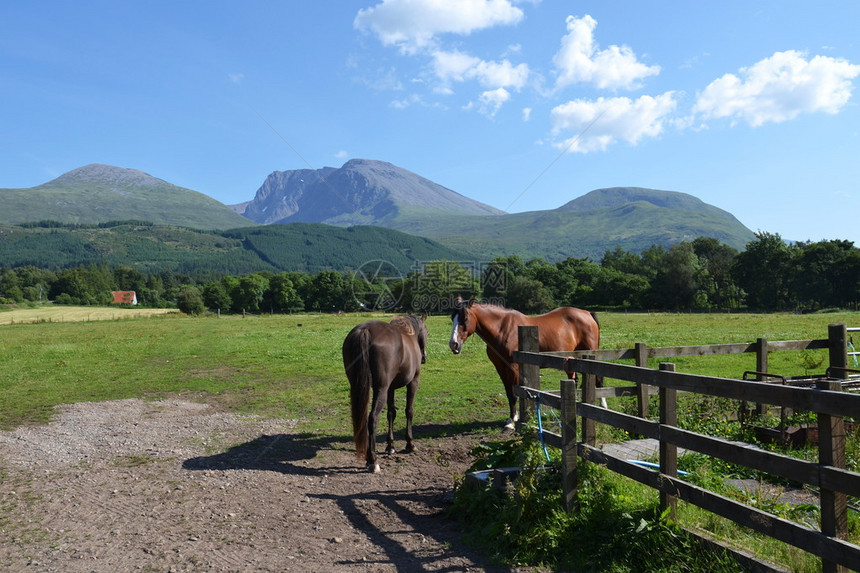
column 459, row 67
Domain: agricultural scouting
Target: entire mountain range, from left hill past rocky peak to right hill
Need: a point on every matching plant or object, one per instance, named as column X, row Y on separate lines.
column 369, row 192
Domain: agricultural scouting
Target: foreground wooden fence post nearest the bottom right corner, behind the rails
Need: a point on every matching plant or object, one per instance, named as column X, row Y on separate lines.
column 831, row 452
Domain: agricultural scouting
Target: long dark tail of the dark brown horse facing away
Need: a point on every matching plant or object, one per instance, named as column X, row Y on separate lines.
column 356, row 353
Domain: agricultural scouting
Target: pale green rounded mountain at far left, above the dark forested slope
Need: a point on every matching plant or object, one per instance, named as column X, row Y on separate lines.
column 99, row 193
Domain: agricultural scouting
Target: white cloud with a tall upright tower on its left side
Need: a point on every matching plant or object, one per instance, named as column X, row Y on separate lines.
column 580, row 60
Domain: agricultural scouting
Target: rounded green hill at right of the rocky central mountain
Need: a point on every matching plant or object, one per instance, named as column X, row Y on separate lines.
column 631, row 218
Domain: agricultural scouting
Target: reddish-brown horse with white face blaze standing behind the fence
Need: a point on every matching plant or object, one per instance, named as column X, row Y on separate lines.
column 564, row 328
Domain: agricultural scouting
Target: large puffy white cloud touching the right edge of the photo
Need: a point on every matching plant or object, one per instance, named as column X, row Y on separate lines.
column 779, row 88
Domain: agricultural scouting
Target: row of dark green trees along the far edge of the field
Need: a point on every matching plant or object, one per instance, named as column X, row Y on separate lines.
column 699, row 275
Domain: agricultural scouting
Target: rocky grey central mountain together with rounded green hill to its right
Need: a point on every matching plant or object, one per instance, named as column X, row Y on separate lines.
column 379, row 193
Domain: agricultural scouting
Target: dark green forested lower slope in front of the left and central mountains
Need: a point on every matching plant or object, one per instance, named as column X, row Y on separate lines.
column 153, row 248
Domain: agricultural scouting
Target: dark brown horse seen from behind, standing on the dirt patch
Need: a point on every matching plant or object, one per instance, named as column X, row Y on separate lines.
column 380, row 357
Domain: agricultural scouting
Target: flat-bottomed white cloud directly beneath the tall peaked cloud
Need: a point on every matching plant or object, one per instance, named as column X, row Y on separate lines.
column 594, row 125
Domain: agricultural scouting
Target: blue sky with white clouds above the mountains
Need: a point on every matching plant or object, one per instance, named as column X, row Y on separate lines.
column 750, row 105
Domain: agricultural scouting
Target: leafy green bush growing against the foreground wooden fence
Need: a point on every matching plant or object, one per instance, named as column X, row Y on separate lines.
column 616, row 528
